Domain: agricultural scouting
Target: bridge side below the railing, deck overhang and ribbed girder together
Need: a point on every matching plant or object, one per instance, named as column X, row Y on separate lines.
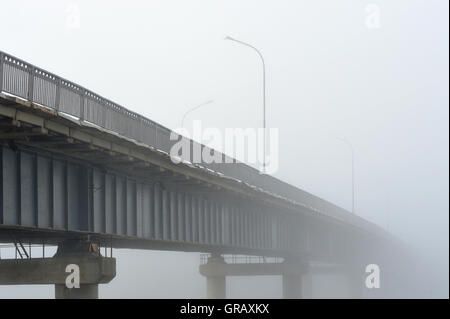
column 60, row 181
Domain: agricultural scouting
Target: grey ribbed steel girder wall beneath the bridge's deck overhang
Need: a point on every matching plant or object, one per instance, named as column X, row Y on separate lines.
column 49, row 198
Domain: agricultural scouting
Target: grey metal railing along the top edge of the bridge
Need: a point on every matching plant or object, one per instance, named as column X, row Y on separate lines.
column 33, row 84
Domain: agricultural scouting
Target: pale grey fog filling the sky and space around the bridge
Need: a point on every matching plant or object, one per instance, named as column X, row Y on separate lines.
column 329, row 76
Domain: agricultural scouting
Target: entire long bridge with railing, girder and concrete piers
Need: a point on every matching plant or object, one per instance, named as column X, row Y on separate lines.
column 81, row 172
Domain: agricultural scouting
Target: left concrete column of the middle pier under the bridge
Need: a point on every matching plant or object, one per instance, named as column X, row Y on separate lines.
column 214, row 271
